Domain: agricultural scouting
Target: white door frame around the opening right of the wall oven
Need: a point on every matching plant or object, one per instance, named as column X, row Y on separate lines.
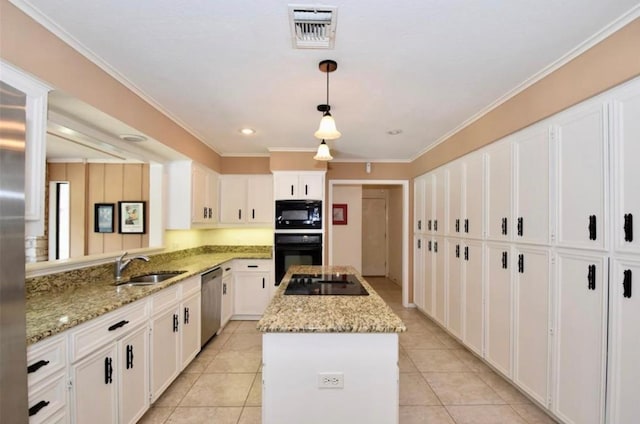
column 405, row 225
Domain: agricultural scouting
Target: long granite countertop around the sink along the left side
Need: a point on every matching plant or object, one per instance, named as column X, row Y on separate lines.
column 58, row 302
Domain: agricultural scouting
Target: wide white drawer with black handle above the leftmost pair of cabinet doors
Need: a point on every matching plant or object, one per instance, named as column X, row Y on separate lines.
column 107, row 328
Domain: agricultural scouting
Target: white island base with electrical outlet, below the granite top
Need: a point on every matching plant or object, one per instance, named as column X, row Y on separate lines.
column 296, row 364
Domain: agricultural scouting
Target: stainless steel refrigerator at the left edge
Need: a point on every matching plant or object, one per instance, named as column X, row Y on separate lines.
column 13, row 356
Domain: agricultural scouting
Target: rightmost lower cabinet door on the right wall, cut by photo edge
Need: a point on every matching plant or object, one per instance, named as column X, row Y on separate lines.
column 624, row 342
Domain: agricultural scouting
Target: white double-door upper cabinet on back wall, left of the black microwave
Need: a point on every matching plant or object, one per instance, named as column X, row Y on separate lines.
column 246, row 199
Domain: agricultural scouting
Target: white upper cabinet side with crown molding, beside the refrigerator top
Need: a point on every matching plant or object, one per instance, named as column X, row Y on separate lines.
column 35, row 148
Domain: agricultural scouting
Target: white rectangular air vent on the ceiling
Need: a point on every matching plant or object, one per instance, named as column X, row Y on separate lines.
column 313, row 27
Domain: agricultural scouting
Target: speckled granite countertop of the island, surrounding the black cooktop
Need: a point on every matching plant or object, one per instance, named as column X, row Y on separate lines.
column 328, row 314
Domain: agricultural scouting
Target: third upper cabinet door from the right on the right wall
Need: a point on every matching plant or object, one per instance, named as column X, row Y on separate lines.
column 531, row 151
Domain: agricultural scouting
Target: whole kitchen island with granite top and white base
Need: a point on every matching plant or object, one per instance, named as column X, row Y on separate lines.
column 329, row 358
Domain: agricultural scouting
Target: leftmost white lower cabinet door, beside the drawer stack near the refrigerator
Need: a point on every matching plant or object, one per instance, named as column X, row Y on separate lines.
column 95, row 387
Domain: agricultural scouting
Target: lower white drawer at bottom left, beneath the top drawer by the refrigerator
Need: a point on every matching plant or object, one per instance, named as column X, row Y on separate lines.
column 46, row 399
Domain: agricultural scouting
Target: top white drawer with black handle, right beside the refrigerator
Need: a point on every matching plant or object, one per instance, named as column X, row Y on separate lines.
column 46, row 358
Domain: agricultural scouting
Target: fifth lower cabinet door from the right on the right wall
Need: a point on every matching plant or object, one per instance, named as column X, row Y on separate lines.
column 473, row 311
